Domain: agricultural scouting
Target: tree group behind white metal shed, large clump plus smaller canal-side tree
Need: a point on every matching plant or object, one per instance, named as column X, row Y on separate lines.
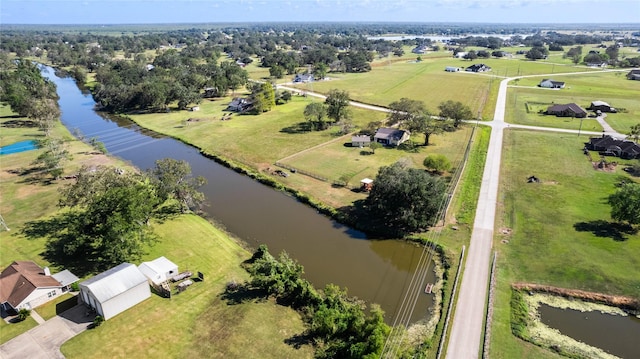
column 108, row 214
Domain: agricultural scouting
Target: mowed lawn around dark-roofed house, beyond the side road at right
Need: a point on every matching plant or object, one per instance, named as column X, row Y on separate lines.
column 611, row 87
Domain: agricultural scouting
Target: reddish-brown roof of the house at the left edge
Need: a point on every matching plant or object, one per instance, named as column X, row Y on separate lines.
column 21, row 278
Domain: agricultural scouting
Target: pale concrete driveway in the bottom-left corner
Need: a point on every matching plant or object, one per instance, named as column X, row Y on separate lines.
column 44, row 341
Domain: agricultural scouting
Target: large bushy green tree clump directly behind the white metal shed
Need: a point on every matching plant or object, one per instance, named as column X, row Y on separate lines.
column 106, row 223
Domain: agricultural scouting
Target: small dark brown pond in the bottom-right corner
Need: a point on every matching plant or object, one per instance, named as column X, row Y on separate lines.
column 614, row 334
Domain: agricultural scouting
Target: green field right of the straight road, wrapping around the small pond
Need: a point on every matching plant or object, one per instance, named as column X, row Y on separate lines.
column 561, row 233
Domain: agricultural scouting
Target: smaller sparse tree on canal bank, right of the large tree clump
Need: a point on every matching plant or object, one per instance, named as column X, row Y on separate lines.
column 173, row 180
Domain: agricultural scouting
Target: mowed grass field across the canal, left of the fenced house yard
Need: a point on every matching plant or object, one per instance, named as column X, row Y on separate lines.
column 251, row 139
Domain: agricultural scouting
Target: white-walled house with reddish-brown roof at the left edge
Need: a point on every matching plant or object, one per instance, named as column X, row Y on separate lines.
column 23, row 284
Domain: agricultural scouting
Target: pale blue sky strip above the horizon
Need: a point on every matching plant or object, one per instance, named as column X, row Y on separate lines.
column 211, row 11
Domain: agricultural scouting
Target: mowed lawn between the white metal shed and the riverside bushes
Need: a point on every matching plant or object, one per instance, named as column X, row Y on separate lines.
column 197, row 322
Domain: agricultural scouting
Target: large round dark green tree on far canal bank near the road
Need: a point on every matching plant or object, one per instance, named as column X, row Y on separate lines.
column 405, row 199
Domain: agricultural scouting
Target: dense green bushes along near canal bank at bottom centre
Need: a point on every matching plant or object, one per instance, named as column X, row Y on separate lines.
column 337, row 325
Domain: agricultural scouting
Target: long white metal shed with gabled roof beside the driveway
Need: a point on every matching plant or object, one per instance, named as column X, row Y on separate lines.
column 116, row 290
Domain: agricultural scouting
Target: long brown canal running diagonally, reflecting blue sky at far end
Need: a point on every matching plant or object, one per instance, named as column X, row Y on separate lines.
column 377, row 271
